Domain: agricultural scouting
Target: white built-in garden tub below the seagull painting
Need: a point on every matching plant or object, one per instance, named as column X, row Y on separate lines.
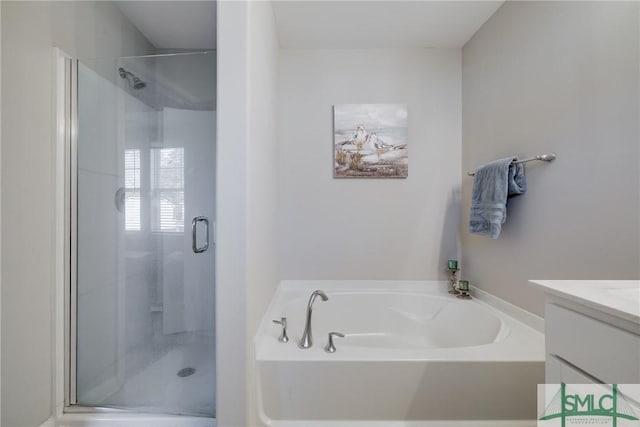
column 412, row 354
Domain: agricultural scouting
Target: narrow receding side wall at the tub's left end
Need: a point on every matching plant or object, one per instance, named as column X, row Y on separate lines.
column 262, row 178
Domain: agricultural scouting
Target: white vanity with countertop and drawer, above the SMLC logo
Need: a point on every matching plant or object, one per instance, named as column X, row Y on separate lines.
column 592, row 331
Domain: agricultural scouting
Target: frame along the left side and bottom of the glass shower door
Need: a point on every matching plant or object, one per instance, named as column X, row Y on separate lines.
column 65, row 131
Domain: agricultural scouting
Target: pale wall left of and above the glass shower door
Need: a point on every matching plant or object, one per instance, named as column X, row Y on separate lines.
column 29, row 31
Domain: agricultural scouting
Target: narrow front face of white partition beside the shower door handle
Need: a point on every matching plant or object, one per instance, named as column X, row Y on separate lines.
column 231, row 208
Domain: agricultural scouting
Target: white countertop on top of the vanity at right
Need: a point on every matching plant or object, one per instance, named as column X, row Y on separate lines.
column 620, row 298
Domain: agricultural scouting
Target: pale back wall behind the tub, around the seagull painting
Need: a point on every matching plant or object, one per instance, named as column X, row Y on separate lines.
column 368, row 228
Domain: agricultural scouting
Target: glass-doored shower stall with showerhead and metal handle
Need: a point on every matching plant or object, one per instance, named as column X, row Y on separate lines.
column 141, row 205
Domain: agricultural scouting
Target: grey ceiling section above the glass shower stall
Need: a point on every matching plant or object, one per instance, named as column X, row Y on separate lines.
column 174, row 24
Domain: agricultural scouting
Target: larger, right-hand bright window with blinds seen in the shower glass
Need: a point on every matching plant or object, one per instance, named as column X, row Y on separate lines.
column 167, row 179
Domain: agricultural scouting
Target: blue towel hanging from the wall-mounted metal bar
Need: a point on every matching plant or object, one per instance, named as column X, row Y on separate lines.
column 493, row 183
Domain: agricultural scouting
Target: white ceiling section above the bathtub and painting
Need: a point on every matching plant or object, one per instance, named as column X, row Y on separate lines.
column 379, row 24
